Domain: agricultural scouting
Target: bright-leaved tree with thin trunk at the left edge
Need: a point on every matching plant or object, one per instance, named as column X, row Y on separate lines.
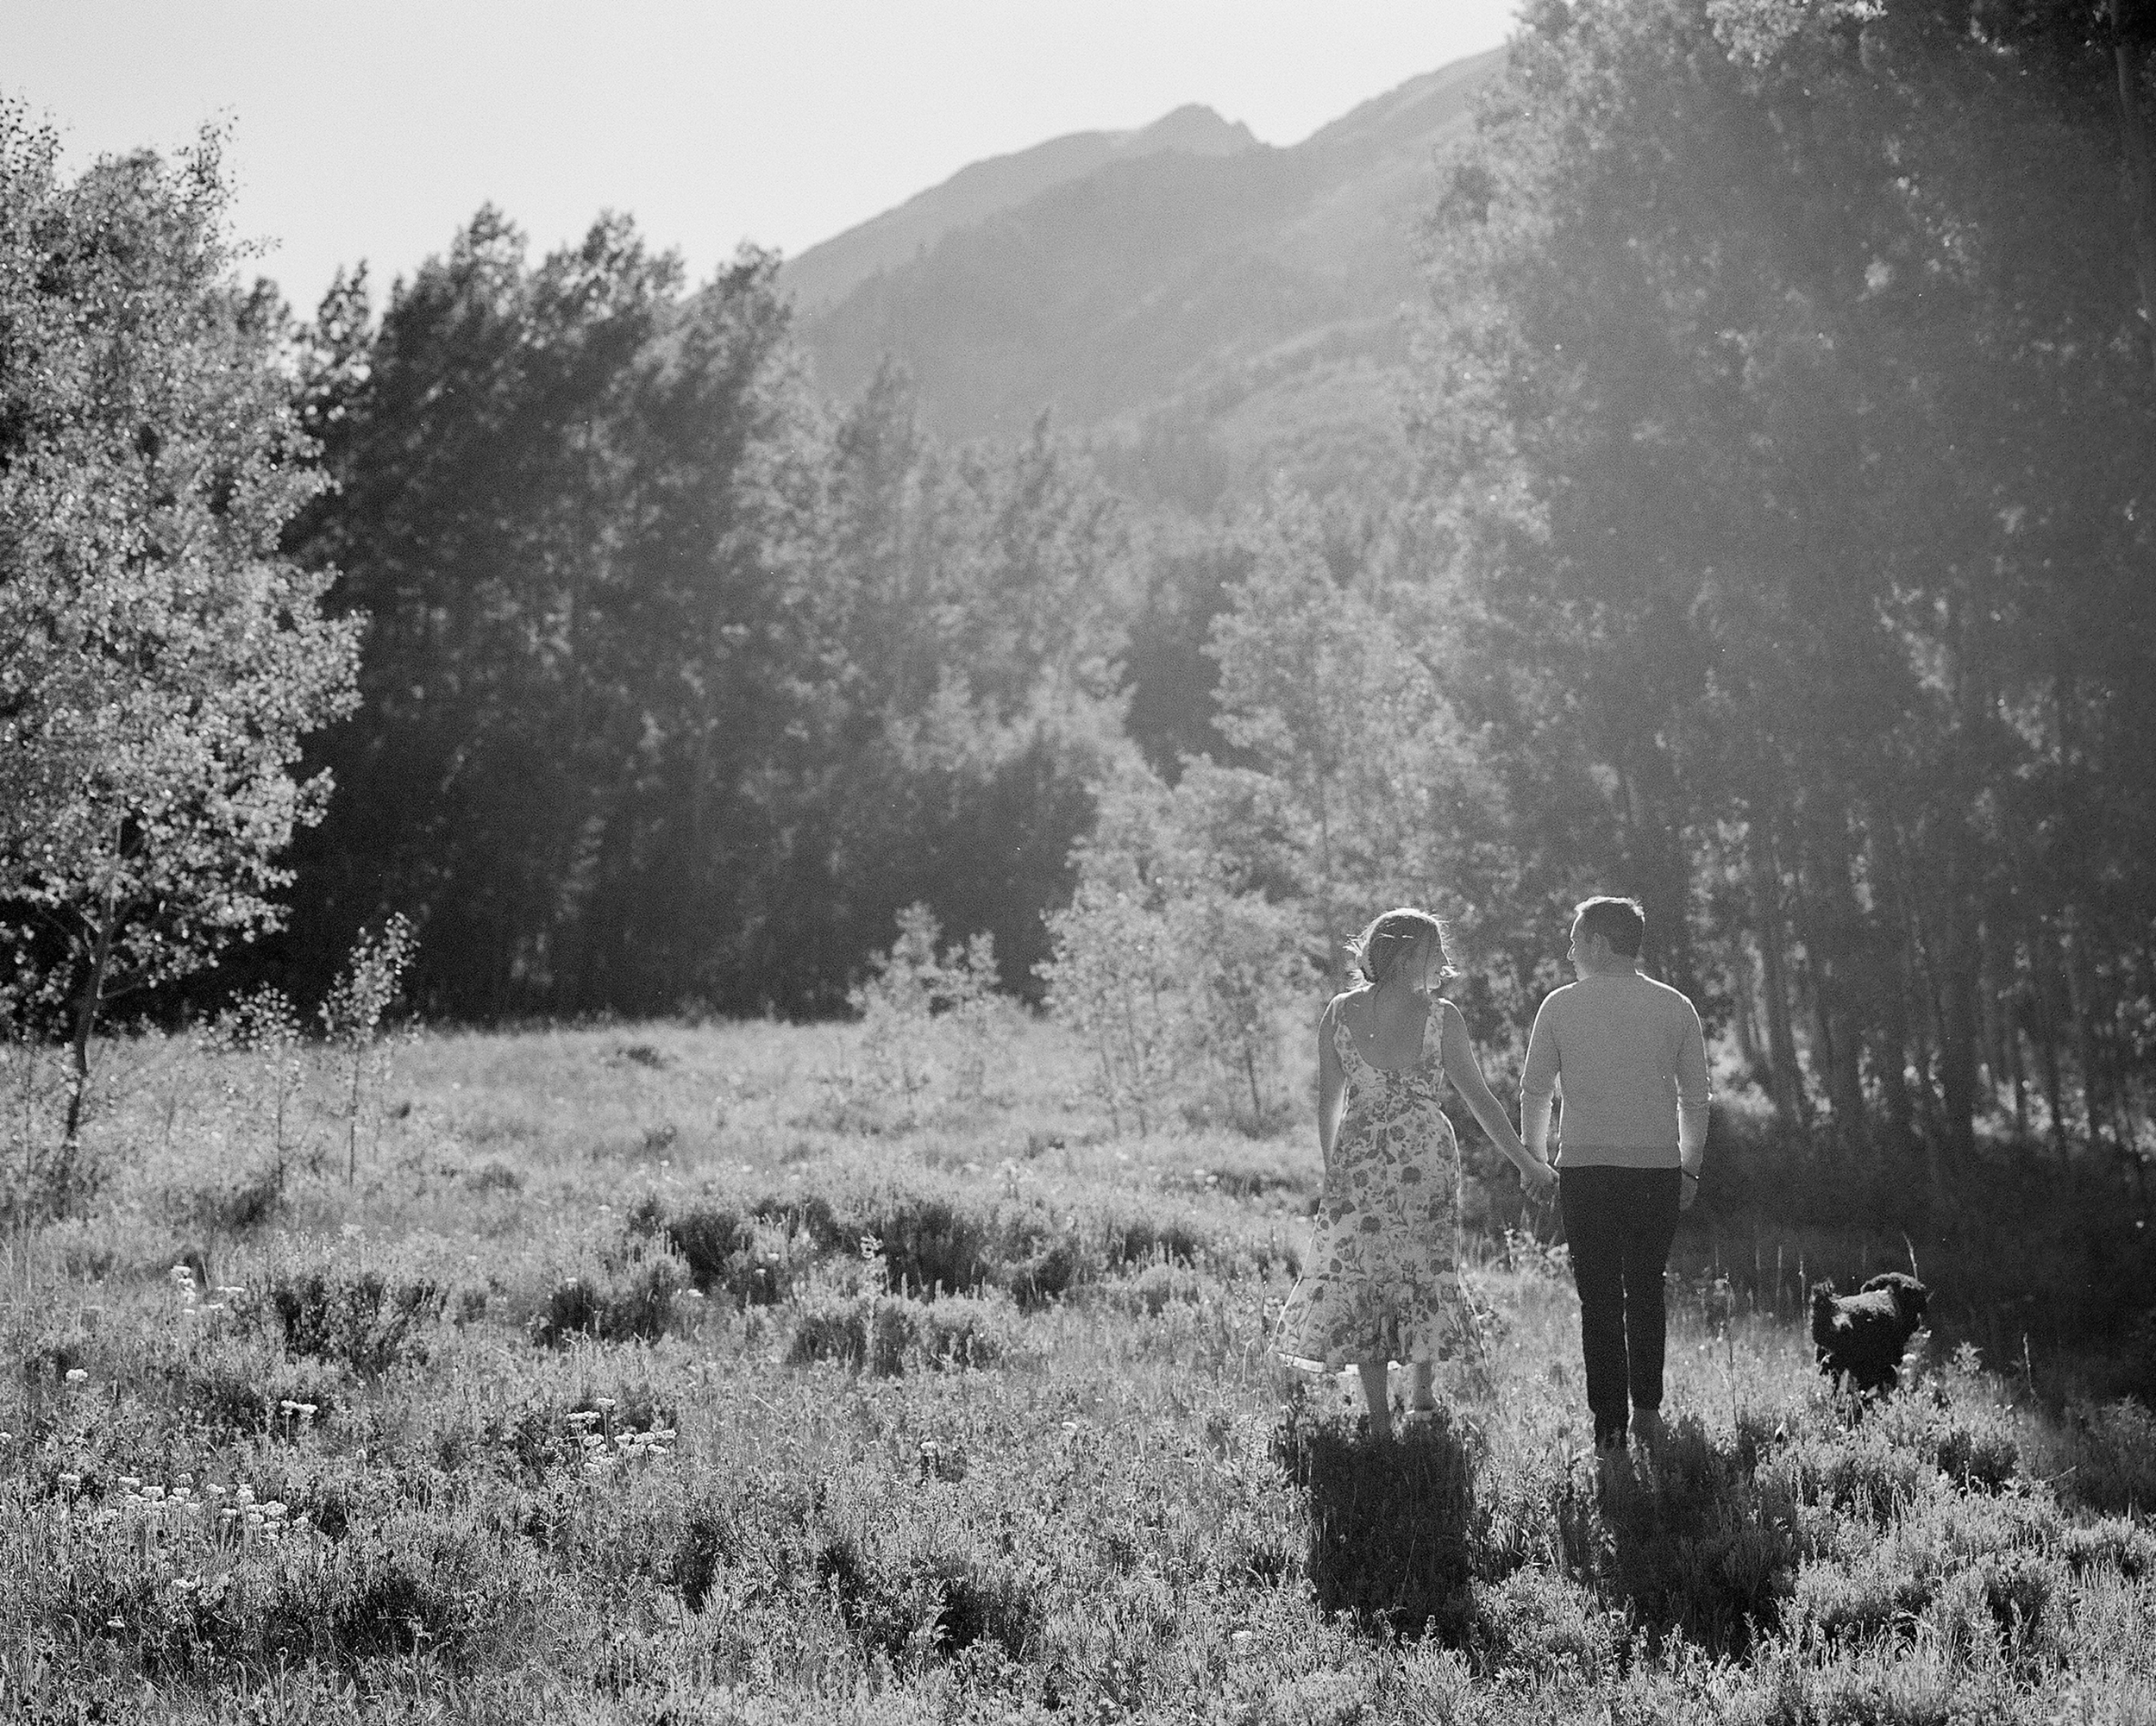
column 165, row 659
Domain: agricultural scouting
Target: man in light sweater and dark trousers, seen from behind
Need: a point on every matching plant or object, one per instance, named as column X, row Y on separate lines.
column 1629, row 1058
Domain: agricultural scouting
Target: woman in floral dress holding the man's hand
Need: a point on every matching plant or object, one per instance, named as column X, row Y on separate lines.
column 1385, row 1259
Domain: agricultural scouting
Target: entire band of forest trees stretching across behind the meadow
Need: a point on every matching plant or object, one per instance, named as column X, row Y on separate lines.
column 1784, row 407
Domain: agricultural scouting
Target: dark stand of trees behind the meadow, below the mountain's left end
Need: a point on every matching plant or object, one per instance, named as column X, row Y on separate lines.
column 678, row 689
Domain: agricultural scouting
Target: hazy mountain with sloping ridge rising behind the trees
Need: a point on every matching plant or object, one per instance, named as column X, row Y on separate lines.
column 1236, row 299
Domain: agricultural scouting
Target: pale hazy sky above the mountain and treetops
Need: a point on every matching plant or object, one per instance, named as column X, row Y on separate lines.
column 376, row 131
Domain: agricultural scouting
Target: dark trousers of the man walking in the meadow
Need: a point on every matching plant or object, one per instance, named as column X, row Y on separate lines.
column 1620, row 1224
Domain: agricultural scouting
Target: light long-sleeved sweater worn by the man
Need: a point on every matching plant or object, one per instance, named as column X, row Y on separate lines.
column 1629, row 1058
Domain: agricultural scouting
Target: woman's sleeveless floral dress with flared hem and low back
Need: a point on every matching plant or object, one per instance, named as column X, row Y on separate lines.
column 1383, row 1278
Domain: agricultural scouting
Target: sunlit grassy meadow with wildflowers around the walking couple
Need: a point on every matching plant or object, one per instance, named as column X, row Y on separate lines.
column 672, row 1373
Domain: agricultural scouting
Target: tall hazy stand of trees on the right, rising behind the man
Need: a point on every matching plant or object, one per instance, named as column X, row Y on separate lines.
column 1782, row 364
